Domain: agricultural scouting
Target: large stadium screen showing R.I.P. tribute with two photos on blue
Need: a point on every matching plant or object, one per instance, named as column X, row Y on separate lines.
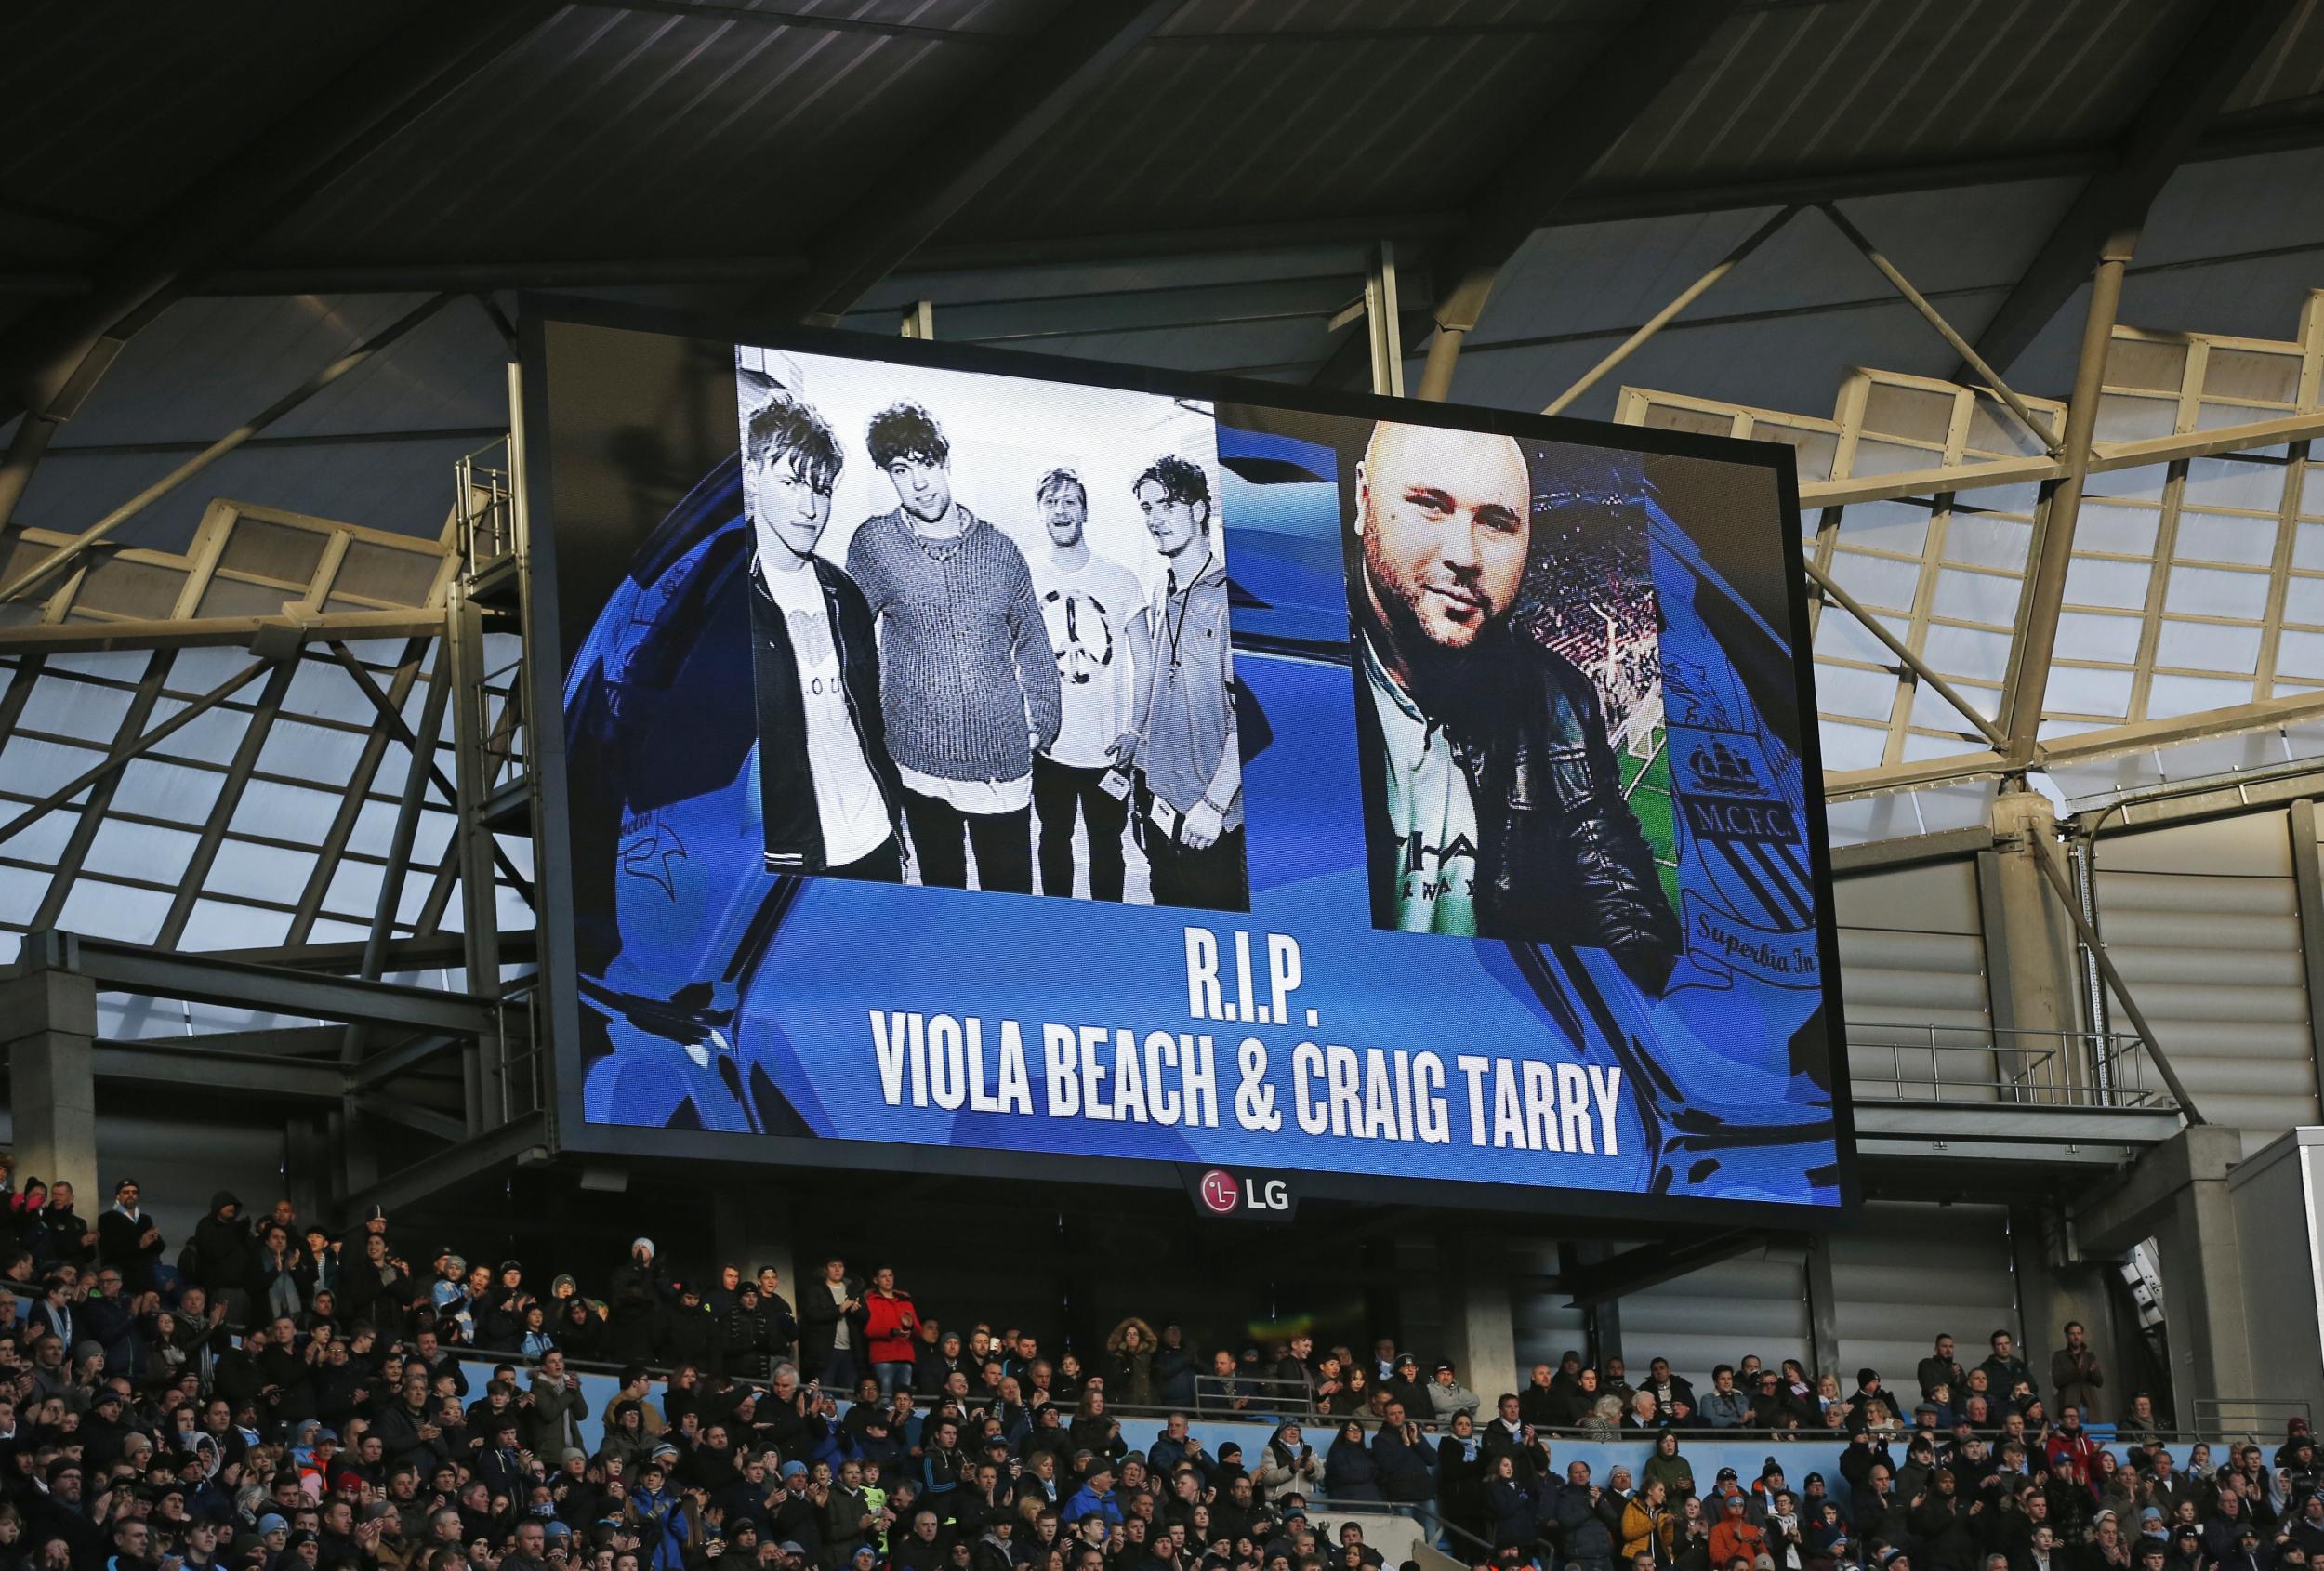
column 982, row 763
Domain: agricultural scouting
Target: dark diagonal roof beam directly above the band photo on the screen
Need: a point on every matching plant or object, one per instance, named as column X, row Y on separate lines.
column 1026, row 101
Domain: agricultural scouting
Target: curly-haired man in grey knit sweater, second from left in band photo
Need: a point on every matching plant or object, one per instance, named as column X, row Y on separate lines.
column 968, row 680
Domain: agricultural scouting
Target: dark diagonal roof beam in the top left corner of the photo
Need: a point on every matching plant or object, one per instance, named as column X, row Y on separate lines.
column 343, row 122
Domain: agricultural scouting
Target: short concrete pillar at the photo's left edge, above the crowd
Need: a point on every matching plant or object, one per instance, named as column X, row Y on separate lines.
column 48, row 1026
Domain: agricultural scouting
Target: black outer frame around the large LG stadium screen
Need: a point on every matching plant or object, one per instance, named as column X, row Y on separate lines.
column 557, row 987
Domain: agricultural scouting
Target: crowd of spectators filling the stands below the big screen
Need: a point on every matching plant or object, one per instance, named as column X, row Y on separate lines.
column 275, row 1398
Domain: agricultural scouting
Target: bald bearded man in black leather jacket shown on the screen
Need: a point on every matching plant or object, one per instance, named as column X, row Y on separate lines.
column 1493, row 803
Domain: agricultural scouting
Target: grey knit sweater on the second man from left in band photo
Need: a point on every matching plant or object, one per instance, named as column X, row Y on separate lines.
column 966, row 666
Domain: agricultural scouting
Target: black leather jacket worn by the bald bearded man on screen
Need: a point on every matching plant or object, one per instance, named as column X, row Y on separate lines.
column 1561, row 856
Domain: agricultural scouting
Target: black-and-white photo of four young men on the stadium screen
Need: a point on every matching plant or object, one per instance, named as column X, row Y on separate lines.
column 989, row 631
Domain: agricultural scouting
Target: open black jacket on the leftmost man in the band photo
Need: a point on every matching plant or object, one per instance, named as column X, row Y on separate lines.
column 787, row 787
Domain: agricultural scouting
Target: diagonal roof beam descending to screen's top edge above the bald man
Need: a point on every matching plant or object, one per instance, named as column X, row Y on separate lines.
column 1584, row 120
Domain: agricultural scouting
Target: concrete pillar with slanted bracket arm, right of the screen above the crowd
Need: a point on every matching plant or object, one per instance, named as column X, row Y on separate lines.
column 2179, row 1196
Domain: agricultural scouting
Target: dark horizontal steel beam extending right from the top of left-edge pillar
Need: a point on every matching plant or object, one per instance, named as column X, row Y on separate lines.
column 201, row 980
